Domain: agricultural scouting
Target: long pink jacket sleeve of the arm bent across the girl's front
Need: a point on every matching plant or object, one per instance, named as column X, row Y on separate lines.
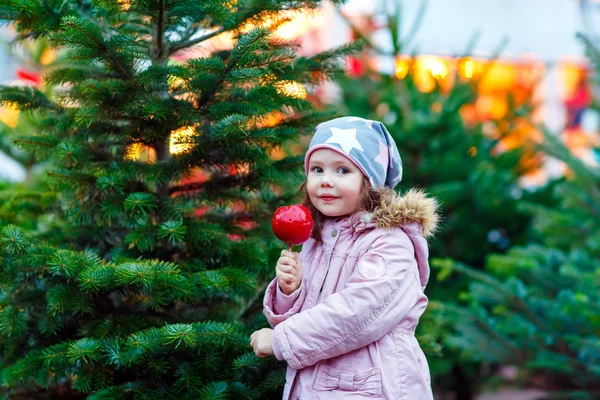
column 380, row 292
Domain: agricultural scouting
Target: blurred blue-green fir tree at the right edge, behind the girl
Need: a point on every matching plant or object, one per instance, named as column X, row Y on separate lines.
column 537, row 307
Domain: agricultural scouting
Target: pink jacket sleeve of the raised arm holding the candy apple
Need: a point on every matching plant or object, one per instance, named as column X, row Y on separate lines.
column 278, row 307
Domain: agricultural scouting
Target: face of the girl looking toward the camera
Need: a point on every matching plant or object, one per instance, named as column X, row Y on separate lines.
column 334, row 183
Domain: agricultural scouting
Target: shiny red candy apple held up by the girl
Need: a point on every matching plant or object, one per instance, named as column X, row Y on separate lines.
column 292, row 224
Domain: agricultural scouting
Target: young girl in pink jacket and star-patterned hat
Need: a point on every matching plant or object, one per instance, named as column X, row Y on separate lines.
column 345, row 309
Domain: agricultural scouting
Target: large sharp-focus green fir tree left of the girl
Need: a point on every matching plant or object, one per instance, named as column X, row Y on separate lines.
column 166, row 136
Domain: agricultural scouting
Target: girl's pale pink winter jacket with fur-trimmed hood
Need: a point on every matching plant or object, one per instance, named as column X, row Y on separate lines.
column 348, row 331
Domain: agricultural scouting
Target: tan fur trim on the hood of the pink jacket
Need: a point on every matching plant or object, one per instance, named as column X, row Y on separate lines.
column 397, row 210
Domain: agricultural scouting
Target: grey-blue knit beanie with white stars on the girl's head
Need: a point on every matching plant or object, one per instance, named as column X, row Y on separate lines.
column 367, row 143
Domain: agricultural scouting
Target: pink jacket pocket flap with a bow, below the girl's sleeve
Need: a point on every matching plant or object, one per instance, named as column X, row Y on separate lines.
column 367, row 382
